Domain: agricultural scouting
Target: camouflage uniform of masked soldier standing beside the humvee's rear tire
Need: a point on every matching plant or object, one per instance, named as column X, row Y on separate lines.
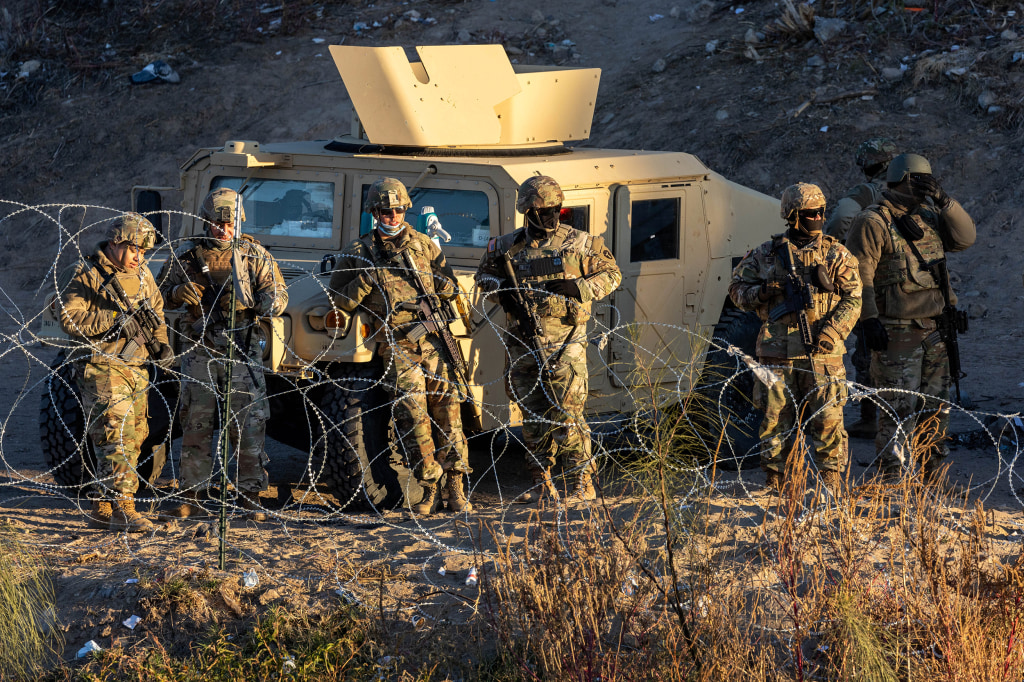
column 813, row 385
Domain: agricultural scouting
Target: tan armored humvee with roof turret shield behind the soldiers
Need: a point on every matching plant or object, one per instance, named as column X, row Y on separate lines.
column 462, row 129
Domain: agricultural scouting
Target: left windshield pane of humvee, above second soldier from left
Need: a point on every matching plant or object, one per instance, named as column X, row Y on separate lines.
column 285, row 208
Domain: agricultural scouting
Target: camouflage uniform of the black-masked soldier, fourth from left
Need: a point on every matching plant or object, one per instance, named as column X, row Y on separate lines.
column 552, row 399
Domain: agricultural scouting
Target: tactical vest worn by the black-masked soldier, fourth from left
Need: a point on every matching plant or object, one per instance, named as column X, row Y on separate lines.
column 562, row 259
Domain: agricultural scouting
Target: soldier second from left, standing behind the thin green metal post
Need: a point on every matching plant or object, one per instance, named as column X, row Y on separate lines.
column 199, row 277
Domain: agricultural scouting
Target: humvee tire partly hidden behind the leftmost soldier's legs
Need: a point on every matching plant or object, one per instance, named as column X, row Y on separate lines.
column 67, row 450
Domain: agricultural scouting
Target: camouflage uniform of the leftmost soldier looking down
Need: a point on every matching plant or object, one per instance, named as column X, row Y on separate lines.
column 110, row 370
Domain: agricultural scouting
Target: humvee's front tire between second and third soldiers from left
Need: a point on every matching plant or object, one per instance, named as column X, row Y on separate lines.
column 358, row 460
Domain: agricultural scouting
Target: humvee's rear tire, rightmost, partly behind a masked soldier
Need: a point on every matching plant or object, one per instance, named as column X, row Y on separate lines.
column 728, row 389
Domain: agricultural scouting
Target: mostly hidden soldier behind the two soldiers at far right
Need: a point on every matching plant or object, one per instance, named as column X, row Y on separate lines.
column 873, row 158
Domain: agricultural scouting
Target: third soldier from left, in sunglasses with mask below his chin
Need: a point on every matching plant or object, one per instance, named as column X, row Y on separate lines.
column 373, row 273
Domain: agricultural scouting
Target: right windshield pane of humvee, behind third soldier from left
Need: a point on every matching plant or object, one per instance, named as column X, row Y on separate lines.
column 463, row 215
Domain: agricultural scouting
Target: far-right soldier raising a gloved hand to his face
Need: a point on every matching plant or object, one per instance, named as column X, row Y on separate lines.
column 899, row 243
